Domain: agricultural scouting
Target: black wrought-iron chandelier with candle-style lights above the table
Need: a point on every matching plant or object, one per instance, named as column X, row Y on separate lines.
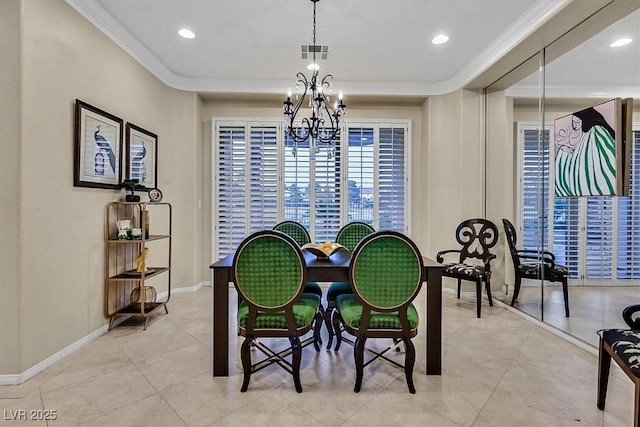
column 324, row 123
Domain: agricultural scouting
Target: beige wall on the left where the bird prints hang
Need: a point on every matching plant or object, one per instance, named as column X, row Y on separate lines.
column 53, row 232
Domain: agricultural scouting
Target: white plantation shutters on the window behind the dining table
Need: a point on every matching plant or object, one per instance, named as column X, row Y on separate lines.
column 261, row 178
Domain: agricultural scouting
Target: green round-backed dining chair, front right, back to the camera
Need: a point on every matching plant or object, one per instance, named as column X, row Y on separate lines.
column 386, row 273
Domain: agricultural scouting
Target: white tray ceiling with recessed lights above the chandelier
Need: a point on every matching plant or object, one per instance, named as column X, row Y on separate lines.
column 376, row 47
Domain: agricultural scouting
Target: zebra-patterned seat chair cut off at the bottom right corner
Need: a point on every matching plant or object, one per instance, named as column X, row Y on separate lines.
column 623, row 345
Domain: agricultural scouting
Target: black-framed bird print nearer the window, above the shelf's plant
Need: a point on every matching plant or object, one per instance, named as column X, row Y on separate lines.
column 142, row 156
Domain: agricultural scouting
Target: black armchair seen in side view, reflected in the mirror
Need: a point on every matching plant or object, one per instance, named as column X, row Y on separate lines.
column 533, row 264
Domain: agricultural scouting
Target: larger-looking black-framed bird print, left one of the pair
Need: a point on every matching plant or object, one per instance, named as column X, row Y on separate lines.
column 98, row 147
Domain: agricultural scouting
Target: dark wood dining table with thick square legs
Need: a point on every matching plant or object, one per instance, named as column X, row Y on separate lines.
column 335, row 269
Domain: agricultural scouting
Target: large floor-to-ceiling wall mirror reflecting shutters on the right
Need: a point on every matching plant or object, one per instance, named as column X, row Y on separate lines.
column 596, row 238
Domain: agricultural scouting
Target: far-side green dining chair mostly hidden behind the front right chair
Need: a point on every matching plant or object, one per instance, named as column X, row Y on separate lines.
column 348, row 236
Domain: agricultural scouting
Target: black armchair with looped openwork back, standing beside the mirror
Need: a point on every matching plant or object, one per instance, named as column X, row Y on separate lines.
column 476, row 236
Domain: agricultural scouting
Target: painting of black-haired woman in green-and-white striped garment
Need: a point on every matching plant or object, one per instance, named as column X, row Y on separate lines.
column 590, row 151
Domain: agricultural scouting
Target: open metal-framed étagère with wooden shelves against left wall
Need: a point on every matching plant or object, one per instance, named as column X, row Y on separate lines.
column 121, row 276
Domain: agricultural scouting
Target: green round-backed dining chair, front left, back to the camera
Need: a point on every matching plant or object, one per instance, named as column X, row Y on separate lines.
column 270, row 272
